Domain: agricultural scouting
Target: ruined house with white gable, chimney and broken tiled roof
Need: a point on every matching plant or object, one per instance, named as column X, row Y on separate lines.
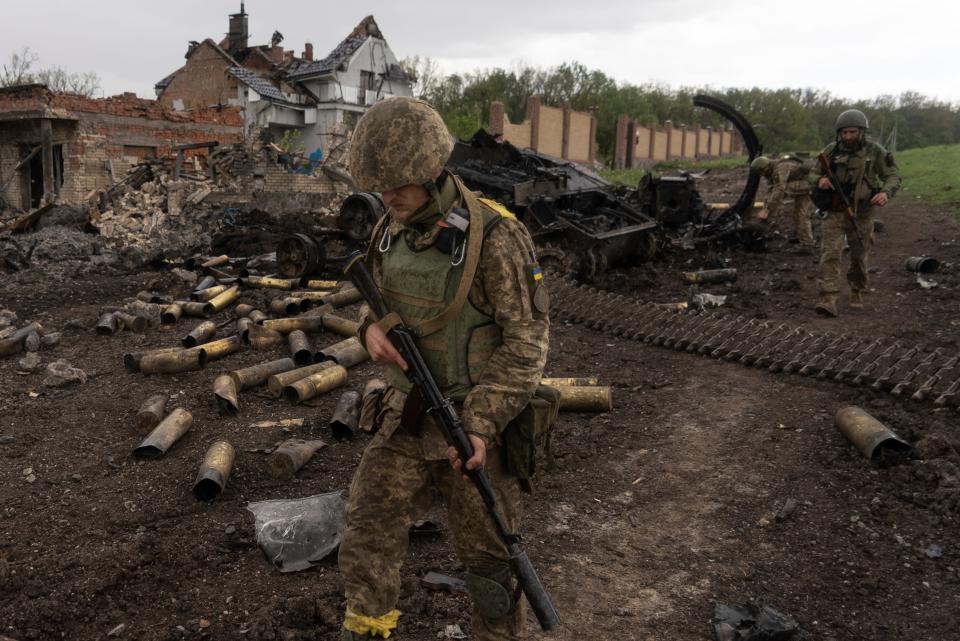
column 278, row 91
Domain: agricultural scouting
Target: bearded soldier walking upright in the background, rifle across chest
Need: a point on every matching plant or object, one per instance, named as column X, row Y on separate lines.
column 869, row 177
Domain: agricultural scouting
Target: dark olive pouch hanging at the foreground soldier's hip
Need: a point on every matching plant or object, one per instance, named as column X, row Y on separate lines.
column 529, row 431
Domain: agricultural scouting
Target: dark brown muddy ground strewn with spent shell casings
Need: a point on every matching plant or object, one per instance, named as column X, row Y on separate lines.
column 653, row 513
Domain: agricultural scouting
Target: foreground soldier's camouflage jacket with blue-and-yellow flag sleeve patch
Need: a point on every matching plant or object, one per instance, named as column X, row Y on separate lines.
column 502, row 290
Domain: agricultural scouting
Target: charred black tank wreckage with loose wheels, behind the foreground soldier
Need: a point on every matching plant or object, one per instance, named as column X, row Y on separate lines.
column 582, row 224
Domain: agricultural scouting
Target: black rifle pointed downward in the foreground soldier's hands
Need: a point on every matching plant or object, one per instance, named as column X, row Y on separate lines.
column 442, row 410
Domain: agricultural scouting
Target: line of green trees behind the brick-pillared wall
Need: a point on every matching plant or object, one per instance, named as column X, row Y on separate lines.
column 784, row 119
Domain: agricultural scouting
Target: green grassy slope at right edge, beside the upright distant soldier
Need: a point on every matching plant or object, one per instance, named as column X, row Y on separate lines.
column 932, row 174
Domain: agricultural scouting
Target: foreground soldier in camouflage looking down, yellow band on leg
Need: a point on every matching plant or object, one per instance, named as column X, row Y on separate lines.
column 485, row 340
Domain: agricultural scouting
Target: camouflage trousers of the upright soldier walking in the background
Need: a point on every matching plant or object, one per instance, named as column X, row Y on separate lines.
column 836, row 226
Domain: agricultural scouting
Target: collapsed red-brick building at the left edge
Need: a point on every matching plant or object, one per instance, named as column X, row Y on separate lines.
column 57, row 147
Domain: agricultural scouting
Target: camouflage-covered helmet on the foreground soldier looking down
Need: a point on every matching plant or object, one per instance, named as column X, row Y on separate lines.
column 399, row 141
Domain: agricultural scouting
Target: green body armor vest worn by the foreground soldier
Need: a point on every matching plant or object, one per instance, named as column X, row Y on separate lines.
column 418, row 285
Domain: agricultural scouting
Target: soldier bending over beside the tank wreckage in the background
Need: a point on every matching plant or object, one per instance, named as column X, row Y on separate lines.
column 788, row 176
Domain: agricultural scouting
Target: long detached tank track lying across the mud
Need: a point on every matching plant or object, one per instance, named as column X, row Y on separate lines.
column 884, row 364
